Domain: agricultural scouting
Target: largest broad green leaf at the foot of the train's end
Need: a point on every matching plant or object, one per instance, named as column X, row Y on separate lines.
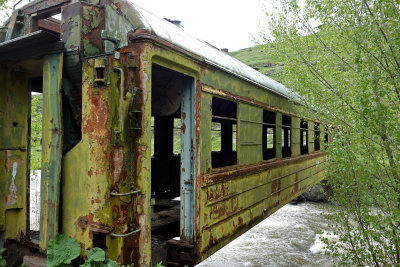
column 62, row 250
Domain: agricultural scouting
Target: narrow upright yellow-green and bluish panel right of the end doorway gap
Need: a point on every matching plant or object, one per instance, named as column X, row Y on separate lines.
column 52, row 148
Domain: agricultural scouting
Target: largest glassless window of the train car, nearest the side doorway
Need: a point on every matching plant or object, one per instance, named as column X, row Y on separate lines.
column 223, row 130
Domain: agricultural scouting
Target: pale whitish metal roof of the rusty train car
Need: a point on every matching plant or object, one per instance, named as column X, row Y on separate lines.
column 213, row 56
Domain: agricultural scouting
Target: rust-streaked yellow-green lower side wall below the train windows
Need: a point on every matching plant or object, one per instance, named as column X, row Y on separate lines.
column 233, row 201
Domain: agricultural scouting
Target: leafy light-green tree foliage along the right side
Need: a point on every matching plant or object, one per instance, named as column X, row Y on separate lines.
column 342, row 60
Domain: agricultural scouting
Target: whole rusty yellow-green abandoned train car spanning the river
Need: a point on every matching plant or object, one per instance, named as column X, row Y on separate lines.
column 156, row 146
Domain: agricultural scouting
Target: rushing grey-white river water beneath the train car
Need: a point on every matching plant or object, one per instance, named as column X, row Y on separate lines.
column 286, row 238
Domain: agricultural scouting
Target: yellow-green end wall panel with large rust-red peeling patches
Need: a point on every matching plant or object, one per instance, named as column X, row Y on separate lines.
column 86, row 168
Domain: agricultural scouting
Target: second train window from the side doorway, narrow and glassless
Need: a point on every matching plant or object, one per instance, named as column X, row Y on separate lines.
column 269, row 136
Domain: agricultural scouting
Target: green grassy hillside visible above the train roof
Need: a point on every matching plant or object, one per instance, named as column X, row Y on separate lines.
column 256, row 58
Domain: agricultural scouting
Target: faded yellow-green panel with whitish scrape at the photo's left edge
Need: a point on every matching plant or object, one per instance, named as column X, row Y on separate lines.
column 14, row 98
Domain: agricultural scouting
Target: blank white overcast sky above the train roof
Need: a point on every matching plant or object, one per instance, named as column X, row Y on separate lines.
column 222, row 23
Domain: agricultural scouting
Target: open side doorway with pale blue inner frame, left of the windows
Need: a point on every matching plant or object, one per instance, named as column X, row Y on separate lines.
column 172, row 160
